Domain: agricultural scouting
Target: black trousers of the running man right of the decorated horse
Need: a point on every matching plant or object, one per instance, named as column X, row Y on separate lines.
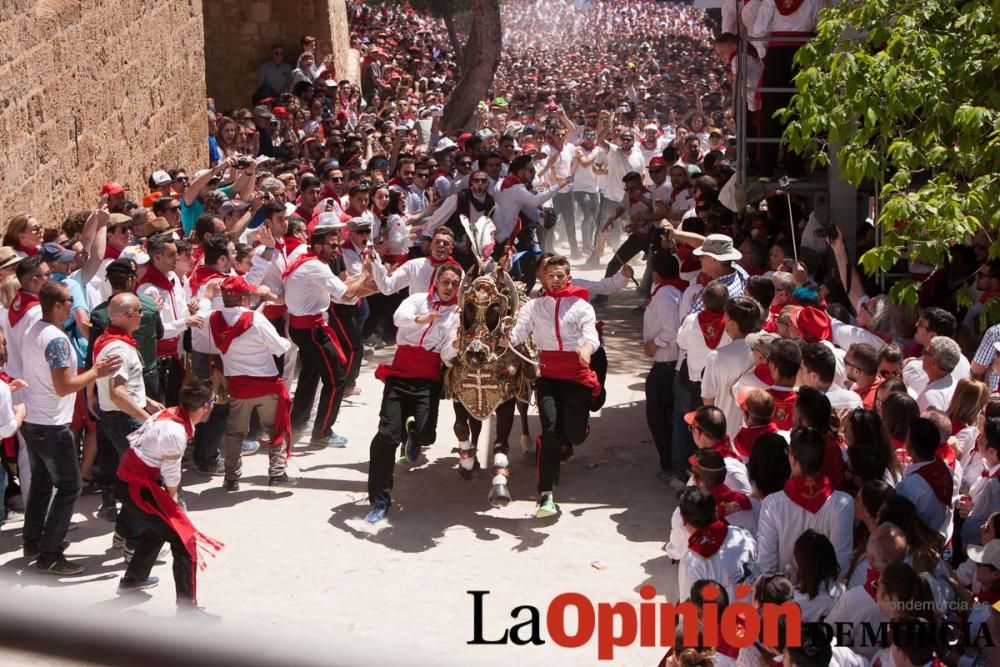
column 564, row 409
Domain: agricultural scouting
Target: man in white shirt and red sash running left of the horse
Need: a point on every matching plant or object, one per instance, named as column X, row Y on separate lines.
column 426, row 324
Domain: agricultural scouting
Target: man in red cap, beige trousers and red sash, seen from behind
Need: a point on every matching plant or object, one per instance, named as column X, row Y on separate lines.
column 248, row 344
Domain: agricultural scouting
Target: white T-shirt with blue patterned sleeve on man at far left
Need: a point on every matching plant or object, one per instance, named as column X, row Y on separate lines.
column 46, row 348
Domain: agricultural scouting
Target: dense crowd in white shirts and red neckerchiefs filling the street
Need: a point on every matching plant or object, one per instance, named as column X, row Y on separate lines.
column 826, row 445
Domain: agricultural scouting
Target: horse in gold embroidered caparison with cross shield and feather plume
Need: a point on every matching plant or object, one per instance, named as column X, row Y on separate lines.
column 487, row 378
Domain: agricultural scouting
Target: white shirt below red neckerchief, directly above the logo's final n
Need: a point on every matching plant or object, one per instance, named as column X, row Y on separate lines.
column 782, row 521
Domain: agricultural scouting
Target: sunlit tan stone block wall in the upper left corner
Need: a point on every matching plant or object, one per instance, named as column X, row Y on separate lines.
column 92, row 90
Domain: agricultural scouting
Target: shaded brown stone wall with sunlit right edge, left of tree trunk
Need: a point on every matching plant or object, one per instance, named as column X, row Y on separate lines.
column 239, row 35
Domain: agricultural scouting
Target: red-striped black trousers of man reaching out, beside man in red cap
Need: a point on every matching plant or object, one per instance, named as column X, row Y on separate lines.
column 319, row 362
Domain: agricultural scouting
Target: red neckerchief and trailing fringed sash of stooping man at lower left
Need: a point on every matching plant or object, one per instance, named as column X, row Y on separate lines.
column 139, row 476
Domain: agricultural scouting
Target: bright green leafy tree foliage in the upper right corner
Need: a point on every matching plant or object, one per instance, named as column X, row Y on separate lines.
column 909, row 92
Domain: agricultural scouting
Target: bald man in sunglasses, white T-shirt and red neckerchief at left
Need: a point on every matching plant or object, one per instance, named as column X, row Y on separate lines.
column 122, row 397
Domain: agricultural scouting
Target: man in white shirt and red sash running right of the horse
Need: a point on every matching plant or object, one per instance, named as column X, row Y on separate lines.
column 562, row 324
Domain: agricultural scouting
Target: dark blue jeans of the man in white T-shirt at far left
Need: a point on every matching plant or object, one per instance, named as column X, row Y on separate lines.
column 52, row 457
